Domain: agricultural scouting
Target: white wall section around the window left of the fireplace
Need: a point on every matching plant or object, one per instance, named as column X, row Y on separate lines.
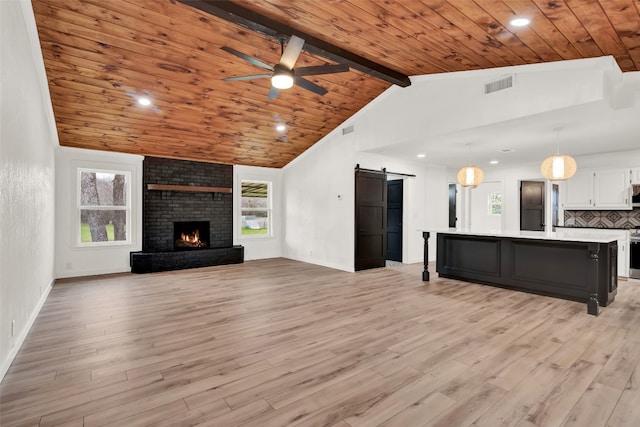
column 72, row 260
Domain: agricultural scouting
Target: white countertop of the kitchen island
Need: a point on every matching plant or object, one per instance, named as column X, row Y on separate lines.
column 560, row 234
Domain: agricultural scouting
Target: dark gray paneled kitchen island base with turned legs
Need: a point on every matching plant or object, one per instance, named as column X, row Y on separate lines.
column 584, row 271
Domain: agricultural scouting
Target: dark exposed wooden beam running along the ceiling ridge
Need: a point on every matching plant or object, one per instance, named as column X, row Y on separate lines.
column 236, row 14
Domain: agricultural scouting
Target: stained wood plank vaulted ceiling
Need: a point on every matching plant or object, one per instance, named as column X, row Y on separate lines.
column 101, row 55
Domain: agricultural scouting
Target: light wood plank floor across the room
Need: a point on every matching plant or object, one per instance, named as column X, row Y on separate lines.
column 281, row 343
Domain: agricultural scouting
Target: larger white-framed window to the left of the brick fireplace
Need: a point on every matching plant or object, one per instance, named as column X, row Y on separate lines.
column 104, row 207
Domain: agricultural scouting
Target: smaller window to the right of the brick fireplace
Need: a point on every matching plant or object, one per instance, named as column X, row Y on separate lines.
column 255, row 206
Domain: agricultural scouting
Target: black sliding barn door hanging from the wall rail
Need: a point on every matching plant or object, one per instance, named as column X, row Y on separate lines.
column 371, row 219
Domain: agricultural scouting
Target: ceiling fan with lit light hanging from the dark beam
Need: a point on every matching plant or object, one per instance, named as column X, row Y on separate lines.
column 283, row 75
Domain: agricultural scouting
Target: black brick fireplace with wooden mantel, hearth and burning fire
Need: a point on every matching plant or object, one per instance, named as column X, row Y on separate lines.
column 187, row 216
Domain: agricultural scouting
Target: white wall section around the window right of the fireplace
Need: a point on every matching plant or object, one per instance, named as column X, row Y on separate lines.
column 258, row 247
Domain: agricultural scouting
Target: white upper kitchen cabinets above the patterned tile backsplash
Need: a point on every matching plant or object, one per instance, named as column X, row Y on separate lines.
column 599, row 189
